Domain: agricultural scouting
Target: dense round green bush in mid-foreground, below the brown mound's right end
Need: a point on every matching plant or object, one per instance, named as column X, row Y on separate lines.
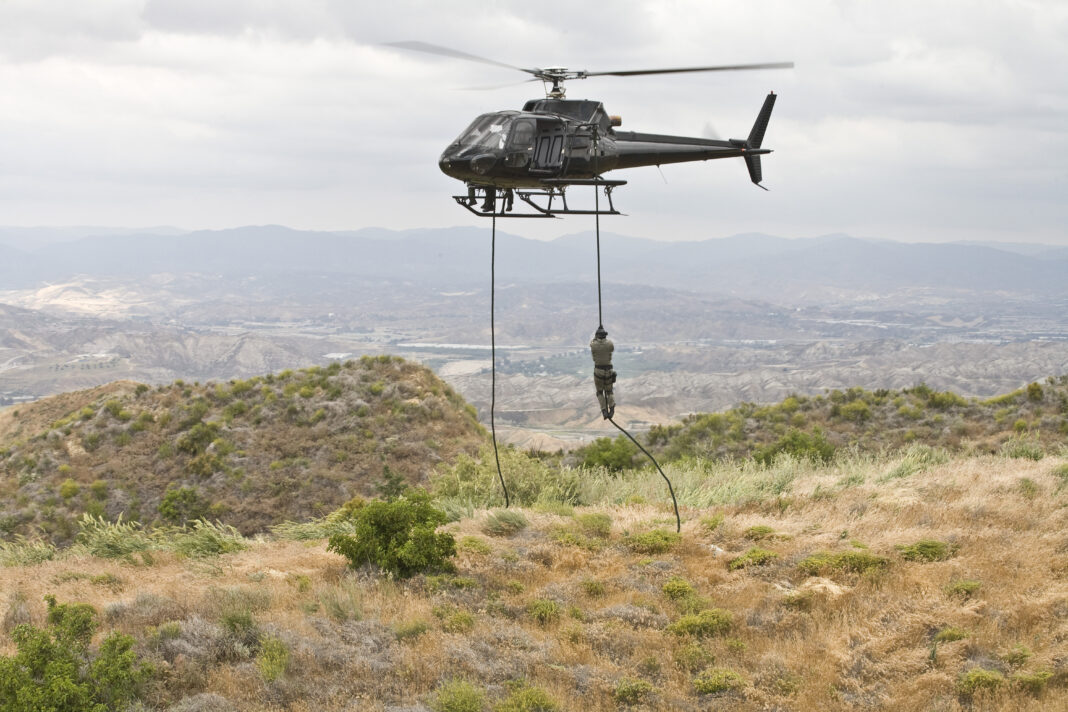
column 400, row 537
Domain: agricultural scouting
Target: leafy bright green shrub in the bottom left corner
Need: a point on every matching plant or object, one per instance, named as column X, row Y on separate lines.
column 56, row 671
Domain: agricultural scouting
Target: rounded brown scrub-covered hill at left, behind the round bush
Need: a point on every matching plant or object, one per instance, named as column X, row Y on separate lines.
column 250, row 453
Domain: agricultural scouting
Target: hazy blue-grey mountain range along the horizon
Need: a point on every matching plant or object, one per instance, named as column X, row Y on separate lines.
column 746, row 265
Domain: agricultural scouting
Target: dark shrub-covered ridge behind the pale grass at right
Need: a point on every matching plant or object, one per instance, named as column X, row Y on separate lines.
column 1025, row 423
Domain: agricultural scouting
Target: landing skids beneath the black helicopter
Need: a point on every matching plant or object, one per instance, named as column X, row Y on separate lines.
column 500, row 202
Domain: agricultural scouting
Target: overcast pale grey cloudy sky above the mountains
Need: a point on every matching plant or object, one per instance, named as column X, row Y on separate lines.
column 906, row 121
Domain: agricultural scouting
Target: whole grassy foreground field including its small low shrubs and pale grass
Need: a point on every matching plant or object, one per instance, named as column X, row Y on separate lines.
column 918, row 581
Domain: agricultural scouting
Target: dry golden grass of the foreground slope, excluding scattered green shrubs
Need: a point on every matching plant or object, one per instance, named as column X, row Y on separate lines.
column 839, row 641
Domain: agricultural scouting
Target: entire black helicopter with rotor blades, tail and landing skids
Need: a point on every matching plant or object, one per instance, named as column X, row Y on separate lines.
column 556, row 143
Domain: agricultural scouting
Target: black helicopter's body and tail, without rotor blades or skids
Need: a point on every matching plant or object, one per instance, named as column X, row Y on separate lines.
column 561, row 140
